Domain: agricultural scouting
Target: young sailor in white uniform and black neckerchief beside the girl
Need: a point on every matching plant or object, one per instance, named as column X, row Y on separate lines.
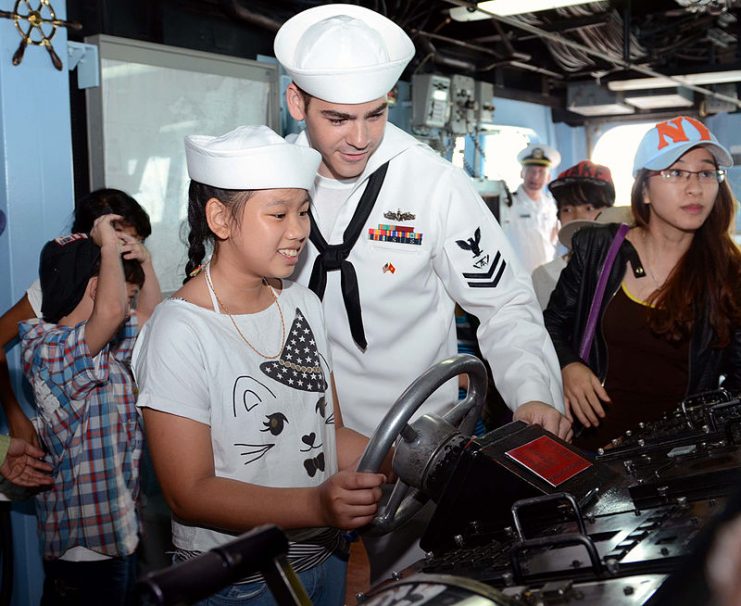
column 398, row 237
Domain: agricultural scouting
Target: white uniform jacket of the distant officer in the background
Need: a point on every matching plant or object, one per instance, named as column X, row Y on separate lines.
column 530, row 226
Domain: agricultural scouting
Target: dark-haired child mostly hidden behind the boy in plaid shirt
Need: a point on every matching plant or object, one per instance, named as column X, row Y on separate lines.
column 134, row 227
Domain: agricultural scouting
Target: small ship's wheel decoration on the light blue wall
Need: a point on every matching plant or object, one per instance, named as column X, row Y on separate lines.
column 37, row 27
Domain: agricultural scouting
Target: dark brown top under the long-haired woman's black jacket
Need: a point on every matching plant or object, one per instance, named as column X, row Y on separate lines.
column 646, row 374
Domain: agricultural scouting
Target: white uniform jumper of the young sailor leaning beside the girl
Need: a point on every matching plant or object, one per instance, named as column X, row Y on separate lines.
column 429, row 242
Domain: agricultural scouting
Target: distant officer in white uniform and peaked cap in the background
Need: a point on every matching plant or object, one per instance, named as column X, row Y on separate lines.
column 530, row 222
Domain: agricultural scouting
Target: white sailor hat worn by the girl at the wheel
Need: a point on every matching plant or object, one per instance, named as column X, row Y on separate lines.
column 250, row 157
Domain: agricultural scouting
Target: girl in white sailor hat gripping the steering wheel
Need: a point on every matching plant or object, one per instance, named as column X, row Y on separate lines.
column 235, row 377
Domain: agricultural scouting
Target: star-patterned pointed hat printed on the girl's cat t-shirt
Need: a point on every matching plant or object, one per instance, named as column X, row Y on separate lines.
column 299, row 366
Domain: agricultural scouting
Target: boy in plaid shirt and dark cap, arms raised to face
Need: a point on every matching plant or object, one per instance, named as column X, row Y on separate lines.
column 78, row 361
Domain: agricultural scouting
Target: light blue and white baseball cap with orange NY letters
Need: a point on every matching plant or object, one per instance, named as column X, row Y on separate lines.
column 667, row 141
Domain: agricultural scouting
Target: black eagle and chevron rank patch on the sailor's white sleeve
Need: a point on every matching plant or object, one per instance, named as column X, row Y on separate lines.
column 479, row 266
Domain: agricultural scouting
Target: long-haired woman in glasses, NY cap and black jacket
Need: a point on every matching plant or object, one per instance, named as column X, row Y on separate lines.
column 670, row 322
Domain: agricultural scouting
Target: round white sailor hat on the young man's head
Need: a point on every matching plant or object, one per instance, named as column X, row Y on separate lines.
column 343, row 53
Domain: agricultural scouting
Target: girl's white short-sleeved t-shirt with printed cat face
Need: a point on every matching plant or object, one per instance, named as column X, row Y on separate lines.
column 272, row 421
